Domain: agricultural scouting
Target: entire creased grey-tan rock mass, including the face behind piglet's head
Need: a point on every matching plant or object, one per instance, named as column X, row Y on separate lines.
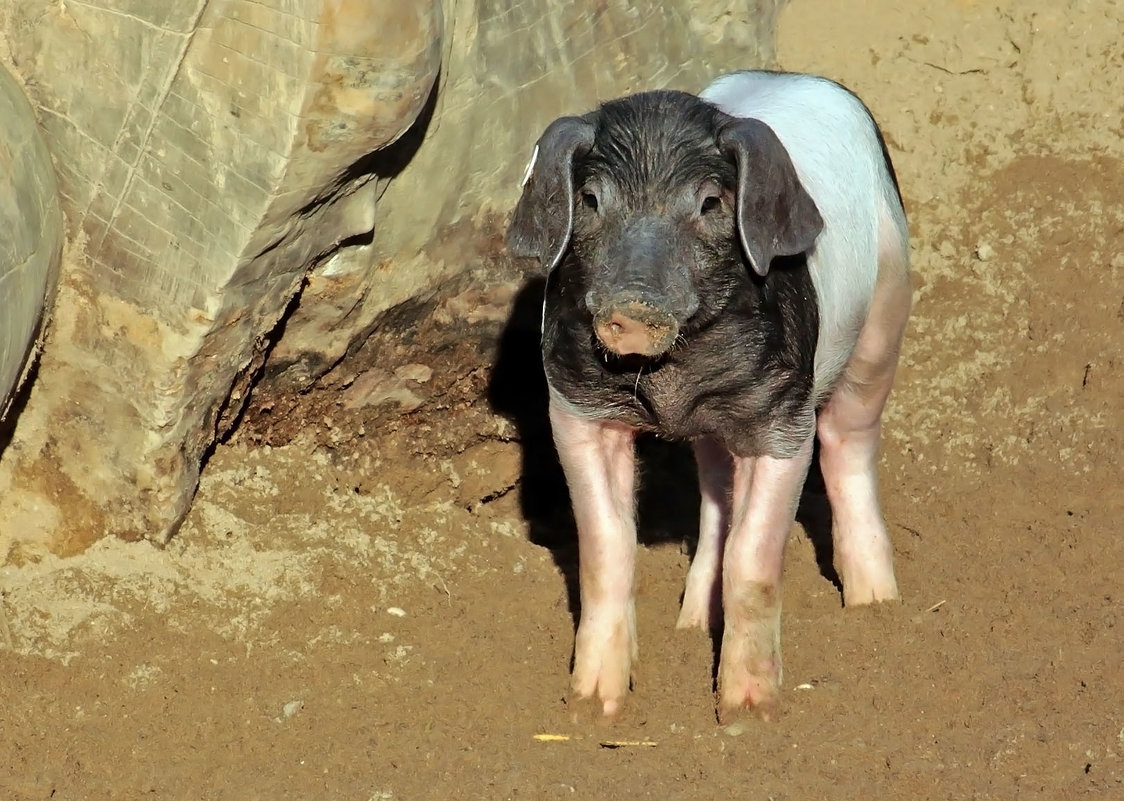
column 226, row 167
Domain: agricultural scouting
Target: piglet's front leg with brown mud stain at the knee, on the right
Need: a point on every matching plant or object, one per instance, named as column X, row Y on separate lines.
column 766, row 494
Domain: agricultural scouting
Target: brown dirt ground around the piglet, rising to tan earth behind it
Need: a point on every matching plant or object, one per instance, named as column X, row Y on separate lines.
column 365, row 605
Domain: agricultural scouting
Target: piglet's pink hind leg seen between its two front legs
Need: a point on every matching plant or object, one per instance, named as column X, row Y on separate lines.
column 703, row 596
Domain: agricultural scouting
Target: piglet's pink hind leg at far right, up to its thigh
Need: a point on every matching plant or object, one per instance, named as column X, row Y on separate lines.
column 849, row 429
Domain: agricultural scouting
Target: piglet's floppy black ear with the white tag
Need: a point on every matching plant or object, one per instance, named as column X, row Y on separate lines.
column 543, row 219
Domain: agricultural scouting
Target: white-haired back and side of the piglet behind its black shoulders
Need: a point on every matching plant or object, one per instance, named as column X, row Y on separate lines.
column 835, row 147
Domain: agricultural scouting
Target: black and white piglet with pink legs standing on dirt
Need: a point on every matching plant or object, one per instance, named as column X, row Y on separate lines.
column 732, row 270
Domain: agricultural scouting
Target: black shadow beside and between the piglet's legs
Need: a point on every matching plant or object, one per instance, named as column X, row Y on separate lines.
column 669, row 496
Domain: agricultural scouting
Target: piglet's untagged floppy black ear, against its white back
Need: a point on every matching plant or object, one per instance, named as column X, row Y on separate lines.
column 776, row 215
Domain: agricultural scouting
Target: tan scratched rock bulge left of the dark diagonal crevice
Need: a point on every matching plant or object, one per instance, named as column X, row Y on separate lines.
column 205, row 153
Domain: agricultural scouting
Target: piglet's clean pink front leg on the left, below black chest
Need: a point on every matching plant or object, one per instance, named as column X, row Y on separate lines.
column 600, row 462
